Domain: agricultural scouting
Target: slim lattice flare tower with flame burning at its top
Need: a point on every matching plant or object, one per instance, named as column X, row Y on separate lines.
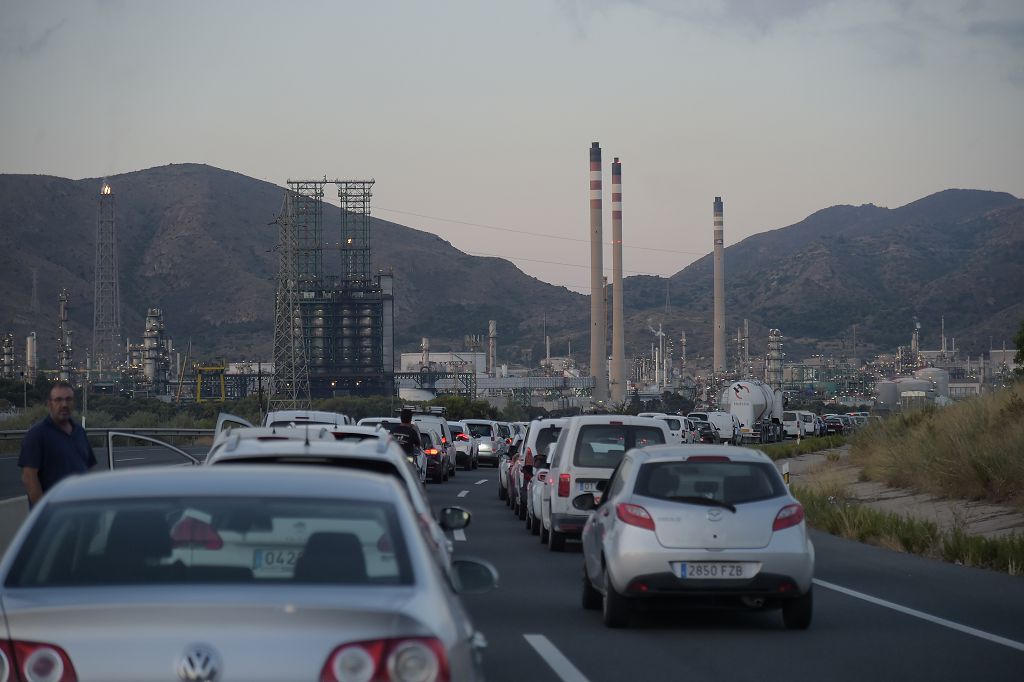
column 107, row 349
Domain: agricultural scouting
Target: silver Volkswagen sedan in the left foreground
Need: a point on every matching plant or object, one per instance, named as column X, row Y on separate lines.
column 207, row 573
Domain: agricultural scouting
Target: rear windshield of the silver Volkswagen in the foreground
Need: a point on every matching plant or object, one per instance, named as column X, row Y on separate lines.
column 225, row 540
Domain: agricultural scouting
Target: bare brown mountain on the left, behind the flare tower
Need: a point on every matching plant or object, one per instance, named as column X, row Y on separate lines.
column 198, row 243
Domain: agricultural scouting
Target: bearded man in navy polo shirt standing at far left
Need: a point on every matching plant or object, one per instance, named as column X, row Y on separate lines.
column 55, row 448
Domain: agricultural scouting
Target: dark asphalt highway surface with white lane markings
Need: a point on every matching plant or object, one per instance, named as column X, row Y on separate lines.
column 879, row 615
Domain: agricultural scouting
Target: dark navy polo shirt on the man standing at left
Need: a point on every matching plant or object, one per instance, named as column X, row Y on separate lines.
column 55, row 453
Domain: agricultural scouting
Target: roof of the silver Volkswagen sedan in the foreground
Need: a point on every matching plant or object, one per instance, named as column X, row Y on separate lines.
column 271, row 481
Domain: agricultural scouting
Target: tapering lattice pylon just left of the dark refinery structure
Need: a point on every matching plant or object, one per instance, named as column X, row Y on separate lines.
column 290, row 386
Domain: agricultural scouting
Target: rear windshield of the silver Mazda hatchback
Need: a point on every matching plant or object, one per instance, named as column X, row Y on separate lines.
column 733, row 483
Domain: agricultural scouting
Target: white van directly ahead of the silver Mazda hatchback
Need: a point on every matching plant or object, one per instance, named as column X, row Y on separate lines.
column 589, row 449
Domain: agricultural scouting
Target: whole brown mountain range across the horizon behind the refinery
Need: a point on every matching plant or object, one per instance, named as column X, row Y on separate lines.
column 198, row 242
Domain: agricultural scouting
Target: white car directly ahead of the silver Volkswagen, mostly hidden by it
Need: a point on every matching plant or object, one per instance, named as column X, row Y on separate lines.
column 380, row 456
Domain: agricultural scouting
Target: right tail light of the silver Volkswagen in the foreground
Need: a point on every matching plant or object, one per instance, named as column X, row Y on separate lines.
column 414, row 660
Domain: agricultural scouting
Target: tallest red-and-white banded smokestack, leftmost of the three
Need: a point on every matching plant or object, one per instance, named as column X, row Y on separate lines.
column 599, row 317
